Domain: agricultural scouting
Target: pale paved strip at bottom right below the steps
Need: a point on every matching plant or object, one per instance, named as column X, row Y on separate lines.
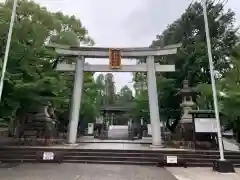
column 202, row 174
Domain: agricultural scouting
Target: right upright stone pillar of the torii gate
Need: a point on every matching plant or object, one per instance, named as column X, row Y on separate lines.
column 153, row 102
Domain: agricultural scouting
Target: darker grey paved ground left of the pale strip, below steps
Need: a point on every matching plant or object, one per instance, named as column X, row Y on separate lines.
column 83, row 172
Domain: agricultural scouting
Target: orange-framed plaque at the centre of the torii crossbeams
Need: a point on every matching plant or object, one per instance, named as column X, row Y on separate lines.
column 115, row 58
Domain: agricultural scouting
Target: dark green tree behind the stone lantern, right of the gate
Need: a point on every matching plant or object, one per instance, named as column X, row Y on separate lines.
column 191, row 60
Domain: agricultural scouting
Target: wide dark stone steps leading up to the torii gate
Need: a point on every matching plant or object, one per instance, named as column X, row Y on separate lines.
column 115, row 156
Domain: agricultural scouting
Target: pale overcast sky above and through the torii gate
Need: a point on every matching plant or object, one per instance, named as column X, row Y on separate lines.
column 125, row 23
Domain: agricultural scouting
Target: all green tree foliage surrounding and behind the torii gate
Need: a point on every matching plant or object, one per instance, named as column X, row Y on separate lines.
column 32, row 81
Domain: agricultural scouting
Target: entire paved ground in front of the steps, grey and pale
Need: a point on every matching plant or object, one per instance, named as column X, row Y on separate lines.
column 108, row 172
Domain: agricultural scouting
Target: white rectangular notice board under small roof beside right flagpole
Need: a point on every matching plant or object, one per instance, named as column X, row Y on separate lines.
column 205, row 125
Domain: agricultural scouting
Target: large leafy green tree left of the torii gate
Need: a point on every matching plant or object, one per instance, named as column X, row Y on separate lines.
column 30, row 78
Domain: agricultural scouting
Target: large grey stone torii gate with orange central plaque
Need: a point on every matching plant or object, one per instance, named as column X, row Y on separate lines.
column 115, row 65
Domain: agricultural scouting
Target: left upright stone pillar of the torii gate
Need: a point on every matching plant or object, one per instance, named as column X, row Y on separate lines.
column 76, row 100
